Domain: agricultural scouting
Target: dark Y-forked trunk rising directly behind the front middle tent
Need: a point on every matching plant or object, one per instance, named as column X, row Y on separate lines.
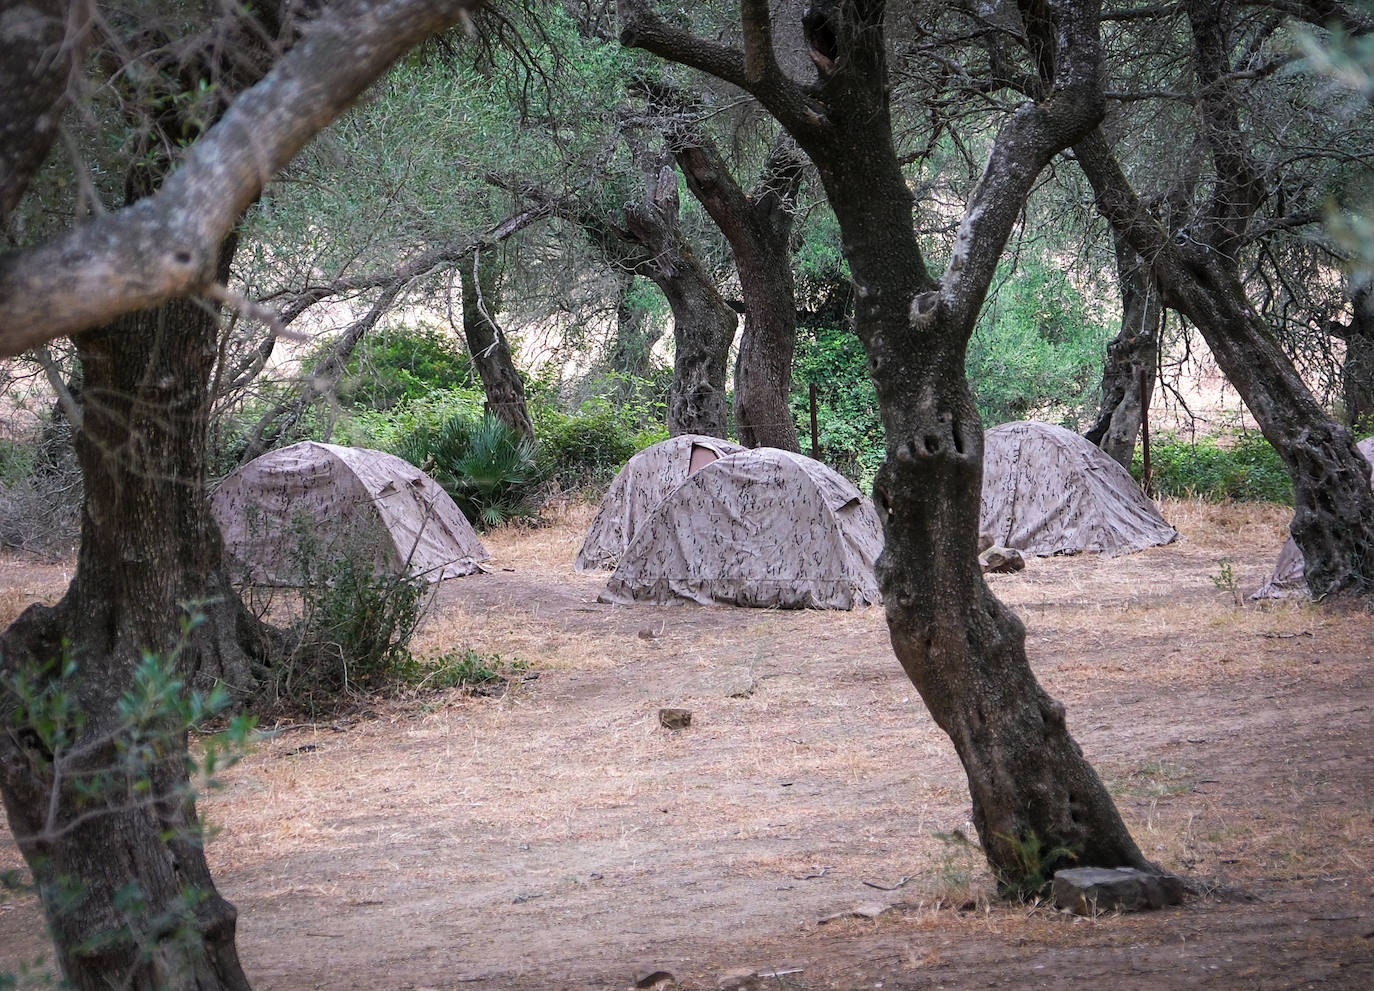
column 759, row 230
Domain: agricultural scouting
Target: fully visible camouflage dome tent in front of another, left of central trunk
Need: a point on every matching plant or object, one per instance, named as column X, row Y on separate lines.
column 758, row 528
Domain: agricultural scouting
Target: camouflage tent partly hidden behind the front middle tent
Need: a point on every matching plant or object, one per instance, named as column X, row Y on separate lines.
column 645, row 480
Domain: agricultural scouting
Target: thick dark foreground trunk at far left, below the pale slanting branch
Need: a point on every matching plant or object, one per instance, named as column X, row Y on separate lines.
column 150, row 559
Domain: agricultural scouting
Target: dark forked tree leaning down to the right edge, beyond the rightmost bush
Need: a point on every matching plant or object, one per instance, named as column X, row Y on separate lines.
column 1333, row 520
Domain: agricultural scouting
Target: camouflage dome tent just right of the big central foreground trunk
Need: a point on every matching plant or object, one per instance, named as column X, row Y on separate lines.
column 1049, row 491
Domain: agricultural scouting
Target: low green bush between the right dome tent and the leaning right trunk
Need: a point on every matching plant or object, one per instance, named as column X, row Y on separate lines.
column 1246, row 468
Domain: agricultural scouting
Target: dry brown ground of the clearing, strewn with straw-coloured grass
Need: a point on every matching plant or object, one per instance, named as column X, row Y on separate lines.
column 559, row 838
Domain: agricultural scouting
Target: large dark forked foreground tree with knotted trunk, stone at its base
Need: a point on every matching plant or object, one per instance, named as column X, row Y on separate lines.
column 962, row 649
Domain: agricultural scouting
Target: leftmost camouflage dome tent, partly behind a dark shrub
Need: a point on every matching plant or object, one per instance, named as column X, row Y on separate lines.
column 328, row 500
